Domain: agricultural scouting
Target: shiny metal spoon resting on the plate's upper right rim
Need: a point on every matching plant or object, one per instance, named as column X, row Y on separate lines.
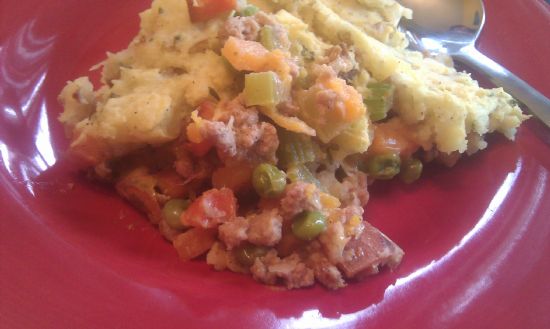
column 452, row 27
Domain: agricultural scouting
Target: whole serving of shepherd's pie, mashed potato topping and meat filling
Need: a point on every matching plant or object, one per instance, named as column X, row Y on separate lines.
column 250, row 131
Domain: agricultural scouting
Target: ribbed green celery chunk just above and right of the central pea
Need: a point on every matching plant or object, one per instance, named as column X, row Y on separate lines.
column 295, row 149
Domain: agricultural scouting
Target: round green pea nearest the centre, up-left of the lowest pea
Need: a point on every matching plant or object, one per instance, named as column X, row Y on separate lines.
column 268, row 180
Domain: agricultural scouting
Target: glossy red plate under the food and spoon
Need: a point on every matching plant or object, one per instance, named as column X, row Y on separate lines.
column 73, row 255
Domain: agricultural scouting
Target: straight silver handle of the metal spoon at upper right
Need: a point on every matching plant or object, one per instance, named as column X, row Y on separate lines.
column 536, row 102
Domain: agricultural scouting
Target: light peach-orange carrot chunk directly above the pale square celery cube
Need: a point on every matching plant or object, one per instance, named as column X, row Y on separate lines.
column 245, row 55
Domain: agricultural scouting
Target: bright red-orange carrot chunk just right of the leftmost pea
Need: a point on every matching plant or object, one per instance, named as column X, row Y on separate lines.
column 212, row 208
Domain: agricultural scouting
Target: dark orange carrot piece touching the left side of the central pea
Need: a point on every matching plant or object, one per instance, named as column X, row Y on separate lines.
column 237, row 178
